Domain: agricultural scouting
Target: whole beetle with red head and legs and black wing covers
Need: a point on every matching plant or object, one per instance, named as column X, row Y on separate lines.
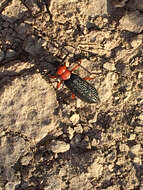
column 78, row 86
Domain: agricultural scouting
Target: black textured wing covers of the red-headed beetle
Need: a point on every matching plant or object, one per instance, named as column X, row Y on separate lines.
column 82, row 89
